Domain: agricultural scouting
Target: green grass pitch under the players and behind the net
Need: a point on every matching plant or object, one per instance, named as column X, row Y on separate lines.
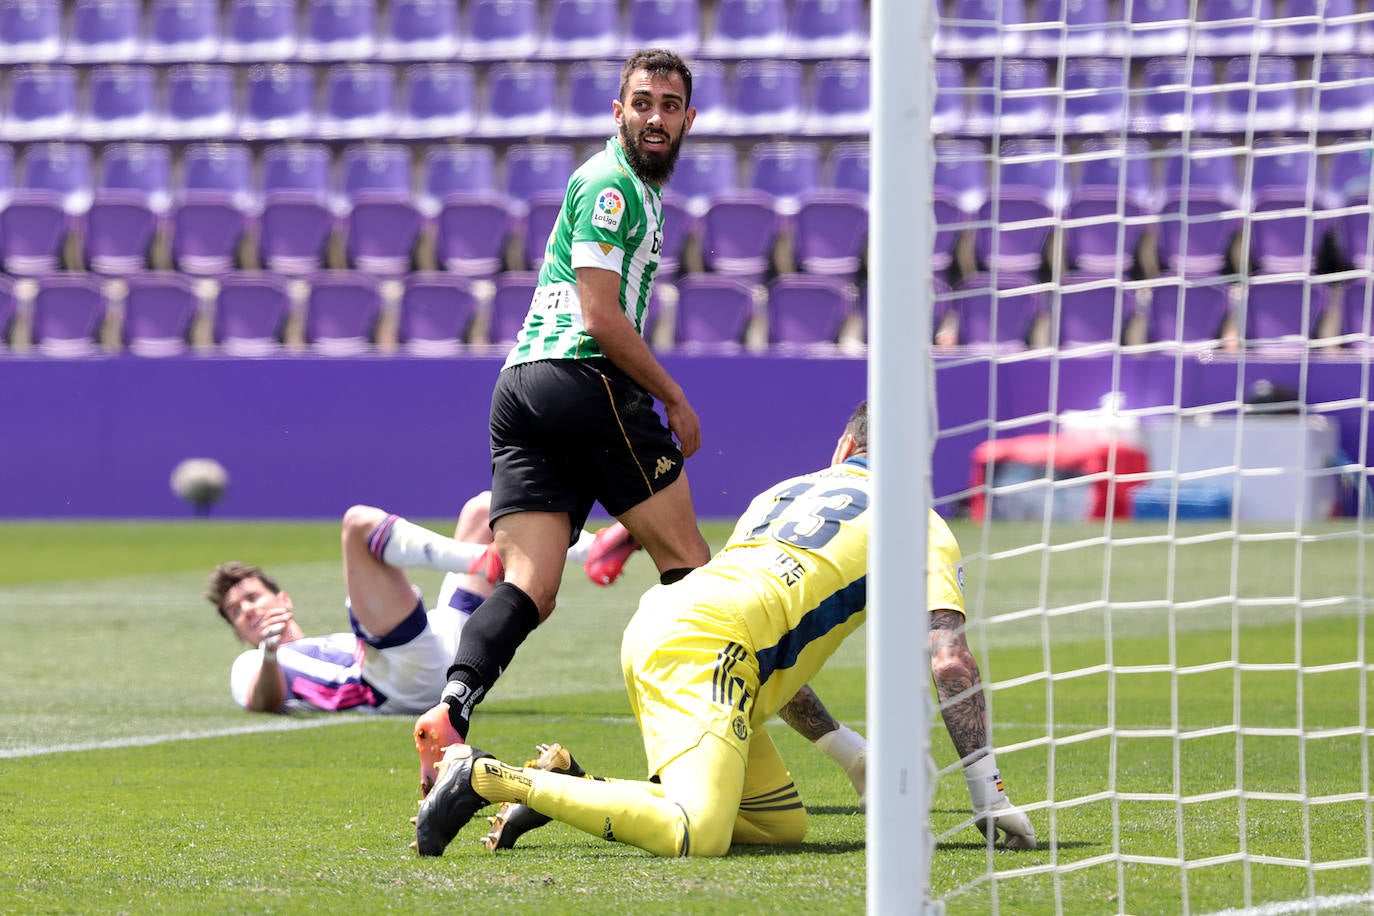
column 131, row 783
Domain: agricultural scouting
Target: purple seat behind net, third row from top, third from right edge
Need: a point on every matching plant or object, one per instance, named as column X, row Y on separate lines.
column 1200, row 216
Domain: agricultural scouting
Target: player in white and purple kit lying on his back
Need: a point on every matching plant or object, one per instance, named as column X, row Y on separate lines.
column 395, row 659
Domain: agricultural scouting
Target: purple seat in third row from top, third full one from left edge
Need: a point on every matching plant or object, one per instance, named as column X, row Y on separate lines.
column 211, row 214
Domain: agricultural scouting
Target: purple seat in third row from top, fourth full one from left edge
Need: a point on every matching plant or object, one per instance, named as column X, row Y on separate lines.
column 297, row 222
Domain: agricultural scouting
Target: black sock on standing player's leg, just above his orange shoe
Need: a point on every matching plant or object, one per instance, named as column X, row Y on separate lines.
column 488, row 645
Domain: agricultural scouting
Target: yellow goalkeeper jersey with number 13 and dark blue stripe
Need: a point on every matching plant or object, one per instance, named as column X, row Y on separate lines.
column 796, row 572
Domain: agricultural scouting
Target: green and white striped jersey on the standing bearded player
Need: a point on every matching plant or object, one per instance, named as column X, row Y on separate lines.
column 609, row 220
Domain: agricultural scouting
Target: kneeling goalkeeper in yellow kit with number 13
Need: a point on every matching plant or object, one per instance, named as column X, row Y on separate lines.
column 710, row 660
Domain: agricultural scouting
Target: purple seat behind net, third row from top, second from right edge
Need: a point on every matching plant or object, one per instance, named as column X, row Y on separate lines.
column 1287, row 230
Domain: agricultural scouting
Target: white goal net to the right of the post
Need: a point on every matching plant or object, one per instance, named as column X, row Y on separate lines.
column 1152, row 380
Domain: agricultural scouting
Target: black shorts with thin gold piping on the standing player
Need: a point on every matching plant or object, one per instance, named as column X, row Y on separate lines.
column 570, row 433
